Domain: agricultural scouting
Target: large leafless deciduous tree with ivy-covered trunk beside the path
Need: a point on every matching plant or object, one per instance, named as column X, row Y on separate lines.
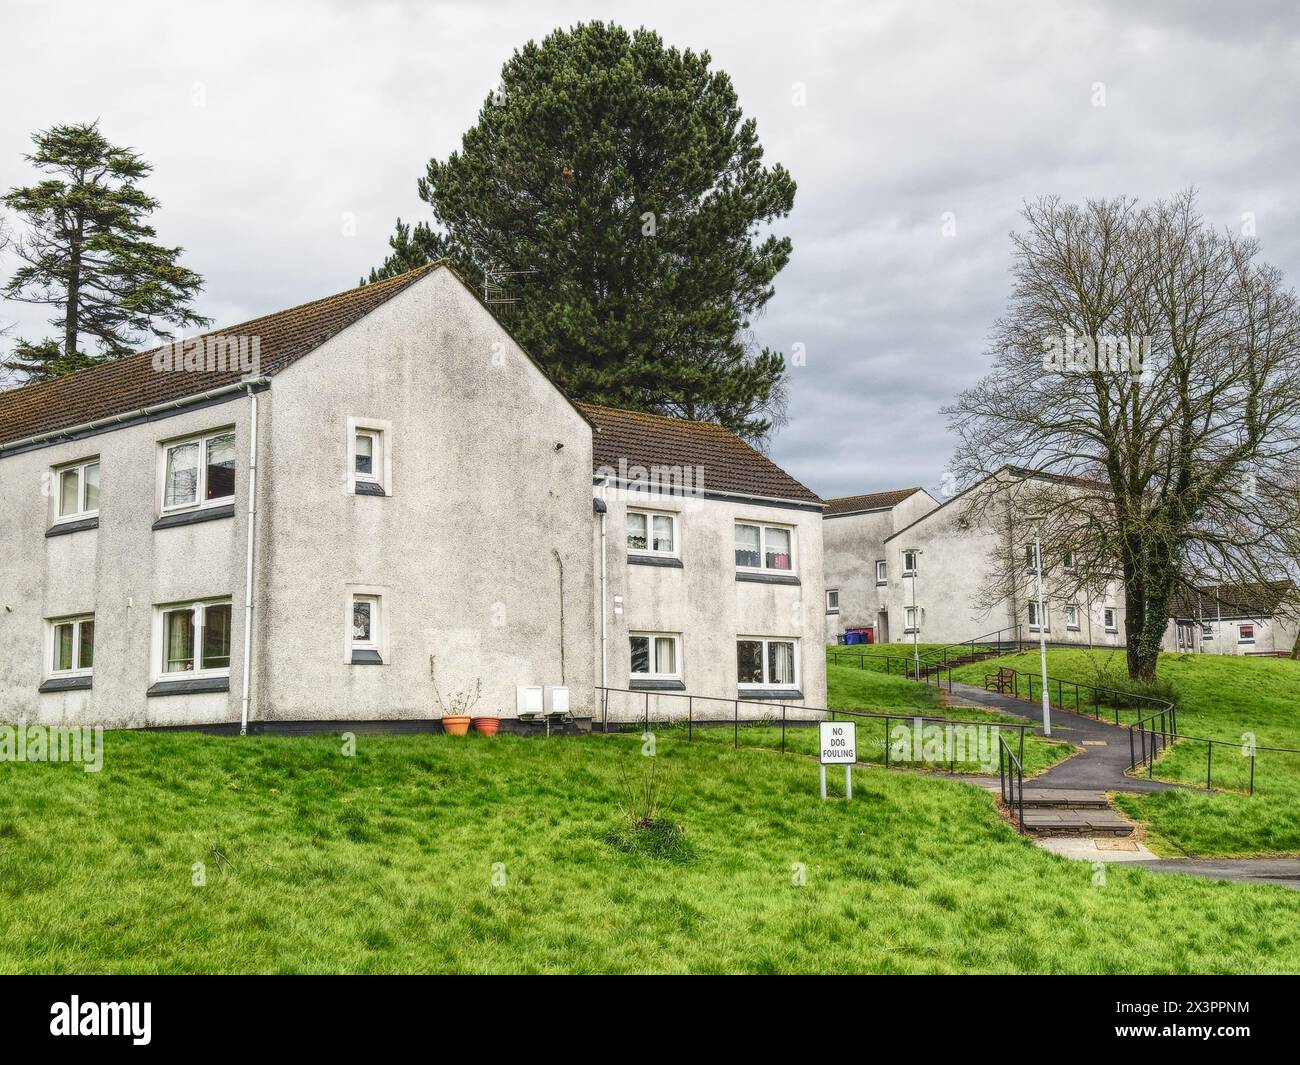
column 1154, row 362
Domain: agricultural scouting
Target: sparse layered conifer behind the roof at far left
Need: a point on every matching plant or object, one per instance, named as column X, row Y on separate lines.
column 89, row 253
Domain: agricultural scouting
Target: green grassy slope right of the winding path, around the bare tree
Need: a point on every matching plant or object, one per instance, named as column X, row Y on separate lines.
column 1219, row 698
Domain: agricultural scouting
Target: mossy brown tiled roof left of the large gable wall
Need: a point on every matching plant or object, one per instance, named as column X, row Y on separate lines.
column 131, row 384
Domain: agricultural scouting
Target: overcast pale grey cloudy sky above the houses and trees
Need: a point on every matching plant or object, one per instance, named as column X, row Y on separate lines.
column 272, row 124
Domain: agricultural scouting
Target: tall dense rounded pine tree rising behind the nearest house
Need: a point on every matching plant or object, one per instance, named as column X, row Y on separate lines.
column 621, row 194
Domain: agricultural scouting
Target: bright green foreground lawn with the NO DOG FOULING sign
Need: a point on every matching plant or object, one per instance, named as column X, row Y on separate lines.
column 387, row 863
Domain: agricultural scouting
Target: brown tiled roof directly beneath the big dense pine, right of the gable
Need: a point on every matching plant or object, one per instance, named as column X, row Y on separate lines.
column 729, row 464
